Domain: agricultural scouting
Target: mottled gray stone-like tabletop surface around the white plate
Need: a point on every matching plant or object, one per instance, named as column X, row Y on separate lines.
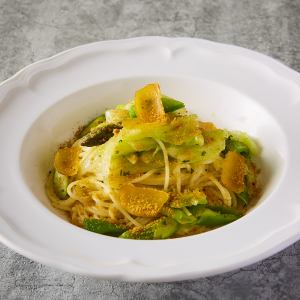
column 31, row 30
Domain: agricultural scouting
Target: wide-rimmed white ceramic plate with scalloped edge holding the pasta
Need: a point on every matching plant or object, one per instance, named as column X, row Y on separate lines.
column 43, row 104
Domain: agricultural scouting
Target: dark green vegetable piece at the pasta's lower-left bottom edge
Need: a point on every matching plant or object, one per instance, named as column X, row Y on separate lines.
column 103, row 227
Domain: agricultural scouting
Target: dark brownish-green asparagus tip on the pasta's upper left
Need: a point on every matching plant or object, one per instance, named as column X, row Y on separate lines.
column 100, row 135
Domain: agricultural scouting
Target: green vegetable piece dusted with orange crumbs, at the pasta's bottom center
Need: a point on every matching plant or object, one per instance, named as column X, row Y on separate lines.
column 162, row 228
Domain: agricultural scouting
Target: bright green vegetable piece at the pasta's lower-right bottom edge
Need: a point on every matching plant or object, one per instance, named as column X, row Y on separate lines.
column 210, row 218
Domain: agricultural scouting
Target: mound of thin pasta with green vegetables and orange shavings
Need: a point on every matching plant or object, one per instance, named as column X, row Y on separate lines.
column 151, row 170
